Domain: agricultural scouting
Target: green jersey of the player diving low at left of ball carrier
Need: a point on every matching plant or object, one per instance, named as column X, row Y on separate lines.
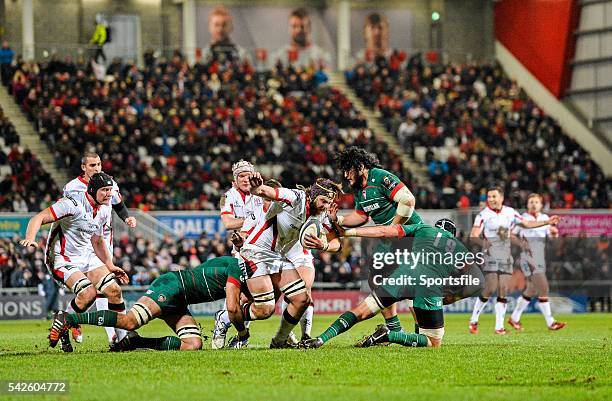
column 207, row 282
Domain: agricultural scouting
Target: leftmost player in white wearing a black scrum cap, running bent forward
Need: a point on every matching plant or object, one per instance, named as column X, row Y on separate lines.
column 77, row 254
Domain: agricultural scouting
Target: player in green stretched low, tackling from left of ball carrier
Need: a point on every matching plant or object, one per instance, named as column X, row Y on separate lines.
column 167, row 298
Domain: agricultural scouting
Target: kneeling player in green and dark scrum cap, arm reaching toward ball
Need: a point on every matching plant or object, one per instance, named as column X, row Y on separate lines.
column 403, row 283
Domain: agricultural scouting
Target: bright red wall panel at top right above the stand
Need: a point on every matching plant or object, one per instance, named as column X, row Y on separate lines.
column 539, row 33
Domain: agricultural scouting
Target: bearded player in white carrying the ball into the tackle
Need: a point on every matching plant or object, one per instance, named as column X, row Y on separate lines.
column 266, row 250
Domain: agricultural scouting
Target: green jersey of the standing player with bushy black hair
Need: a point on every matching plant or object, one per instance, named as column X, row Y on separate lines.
column 376, row 199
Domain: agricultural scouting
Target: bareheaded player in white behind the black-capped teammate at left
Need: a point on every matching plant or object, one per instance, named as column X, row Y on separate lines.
column 91, row 164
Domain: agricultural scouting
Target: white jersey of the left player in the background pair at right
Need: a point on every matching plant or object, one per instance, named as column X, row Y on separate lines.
column 497, row 227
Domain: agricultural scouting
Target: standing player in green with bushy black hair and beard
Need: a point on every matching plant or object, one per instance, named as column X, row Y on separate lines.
column 379, row 195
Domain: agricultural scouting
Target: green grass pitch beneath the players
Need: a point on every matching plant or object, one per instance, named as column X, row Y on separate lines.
column 571, row 364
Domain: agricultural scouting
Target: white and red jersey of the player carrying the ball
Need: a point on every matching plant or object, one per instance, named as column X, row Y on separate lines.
column 279, row 229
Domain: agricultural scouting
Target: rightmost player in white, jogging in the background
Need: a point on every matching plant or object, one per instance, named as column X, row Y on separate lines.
column 533, row 265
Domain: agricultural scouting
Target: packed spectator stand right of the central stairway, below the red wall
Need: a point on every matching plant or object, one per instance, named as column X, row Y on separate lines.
column 474, row 127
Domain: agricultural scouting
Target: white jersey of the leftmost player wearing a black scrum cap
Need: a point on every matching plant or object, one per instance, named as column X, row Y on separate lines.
column 76, row 220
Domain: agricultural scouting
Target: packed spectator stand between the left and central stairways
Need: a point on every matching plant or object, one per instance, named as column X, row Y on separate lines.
column 170, row 133
